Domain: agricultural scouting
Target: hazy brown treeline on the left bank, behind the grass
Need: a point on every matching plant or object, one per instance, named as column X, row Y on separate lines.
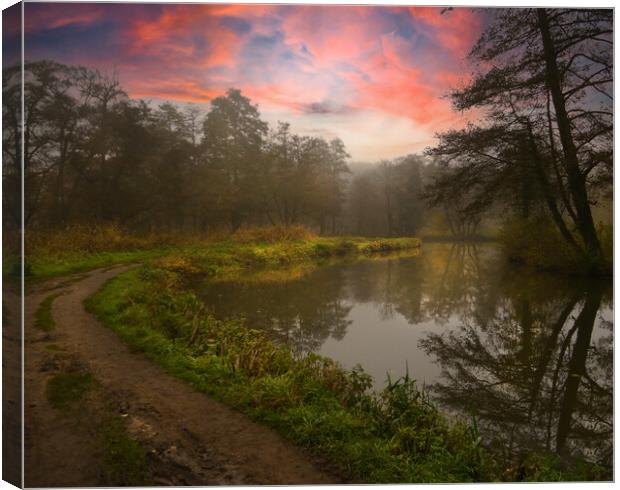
column 93, row 155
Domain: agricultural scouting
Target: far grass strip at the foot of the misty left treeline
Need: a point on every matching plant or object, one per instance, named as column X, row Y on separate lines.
column 75, row 249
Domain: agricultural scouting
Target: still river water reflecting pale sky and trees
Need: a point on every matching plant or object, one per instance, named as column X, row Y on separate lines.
column 530, row 355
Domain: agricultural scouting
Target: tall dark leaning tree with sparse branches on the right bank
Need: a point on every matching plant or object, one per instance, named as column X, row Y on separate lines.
column 548, row 101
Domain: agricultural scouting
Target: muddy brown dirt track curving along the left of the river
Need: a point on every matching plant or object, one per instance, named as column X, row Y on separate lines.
column 191, row 439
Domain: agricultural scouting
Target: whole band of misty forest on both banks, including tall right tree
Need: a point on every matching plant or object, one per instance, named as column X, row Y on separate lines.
column 541, row 157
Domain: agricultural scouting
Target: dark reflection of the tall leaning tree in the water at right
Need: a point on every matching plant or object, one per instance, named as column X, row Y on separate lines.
column 524, row 360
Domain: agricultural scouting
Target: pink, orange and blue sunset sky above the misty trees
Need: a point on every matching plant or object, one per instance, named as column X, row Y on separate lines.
column 375, row 76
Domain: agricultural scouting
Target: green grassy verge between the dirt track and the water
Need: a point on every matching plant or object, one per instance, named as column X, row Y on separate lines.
column 394, row 436
